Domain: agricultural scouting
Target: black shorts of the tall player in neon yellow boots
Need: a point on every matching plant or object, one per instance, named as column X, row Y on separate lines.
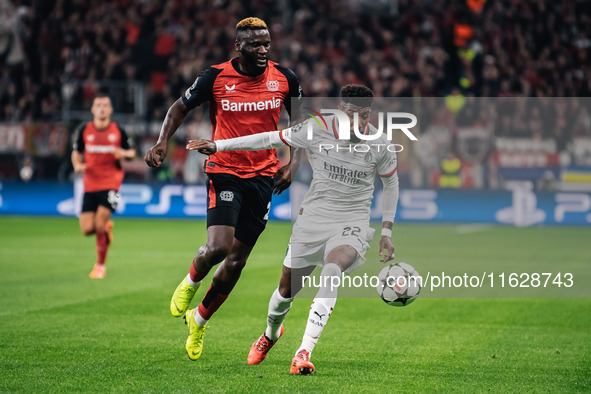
column 242, row 203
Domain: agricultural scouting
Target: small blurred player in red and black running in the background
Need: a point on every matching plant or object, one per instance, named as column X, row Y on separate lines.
column 101, row 143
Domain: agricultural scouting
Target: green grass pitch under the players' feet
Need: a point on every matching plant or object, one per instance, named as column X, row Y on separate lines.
column 61, row 331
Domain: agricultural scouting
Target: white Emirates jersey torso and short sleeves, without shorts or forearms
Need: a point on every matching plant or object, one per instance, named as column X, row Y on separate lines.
column 344, row 172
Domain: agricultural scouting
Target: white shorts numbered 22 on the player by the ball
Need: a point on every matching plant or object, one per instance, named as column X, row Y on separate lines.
column 309, row 247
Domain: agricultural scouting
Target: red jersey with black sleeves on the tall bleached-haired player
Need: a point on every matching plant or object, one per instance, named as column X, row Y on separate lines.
column 243, row 104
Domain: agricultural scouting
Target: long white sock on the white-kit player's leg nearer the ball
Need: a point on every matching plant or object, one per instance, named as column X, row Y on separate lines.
column 321, row 308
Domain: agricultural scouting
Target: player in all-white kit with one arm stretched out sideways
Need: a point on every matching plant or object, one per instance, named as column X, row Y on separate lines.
column 332, row 229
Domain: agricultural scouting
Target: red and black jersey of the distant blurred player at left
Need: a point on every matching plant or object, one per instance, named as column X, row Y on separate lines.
column 103, row 170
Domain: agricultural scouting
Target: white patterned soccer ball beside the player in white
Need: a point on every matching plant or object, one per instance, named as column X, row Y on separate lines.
column 399, row 284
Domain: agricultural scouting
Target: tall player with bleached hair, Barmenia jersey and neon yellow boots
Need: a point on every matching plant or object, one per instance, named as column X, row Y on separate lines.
column 245, row 96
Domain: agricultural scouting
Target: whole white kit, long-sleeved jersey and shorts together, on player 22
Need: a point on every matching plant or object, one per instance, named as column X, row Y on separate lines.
column 336, row 208
